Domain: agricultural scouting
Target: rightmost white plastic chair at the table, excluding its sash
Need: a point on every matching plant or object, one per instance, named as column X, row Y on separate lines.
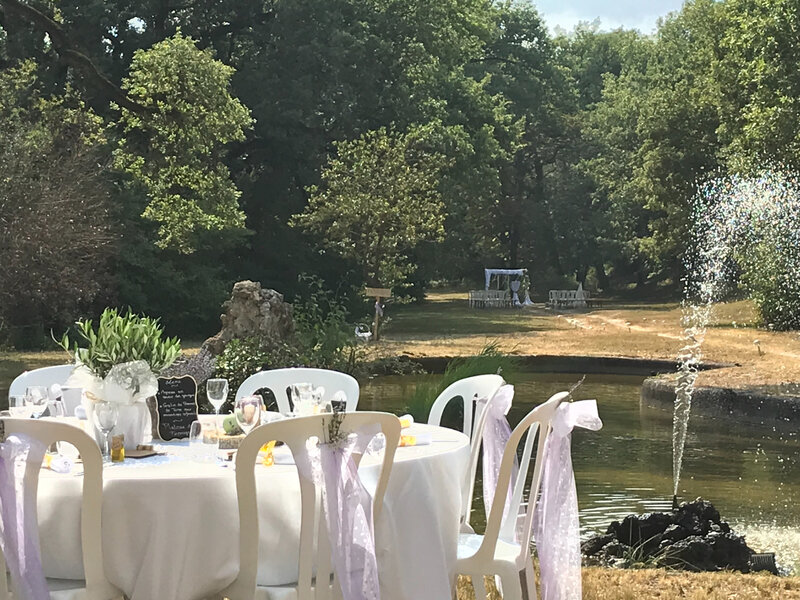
column 497, row 552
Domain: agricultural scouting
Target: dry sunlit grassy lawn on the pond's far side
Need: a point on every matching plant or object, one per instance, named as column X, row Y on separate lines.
column 444, row 325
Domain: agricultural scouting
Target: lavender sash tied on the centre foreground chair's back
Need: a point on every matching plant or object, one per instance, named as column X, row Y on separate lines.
column 348, row 513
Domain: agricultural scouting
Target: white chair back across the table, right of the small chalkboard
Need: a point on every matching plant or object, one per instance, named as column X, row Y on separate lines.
column 279, row 382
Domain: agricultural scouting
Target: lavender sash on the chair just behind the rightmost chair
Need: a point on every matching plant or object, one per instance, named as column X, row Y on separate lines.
column 495, row 437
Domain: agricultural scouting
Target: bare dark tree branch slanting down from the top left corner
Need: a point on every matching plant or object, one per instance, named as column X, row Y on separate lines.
column 70, row 53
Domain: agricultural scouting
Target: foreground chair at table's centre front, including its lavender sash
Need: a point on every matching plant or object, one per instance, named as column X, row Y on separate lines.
column 337, row 545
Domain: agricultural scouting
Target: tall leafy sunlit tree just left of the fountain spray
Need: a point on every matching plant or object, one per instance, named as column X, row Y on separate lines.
column 656, row 132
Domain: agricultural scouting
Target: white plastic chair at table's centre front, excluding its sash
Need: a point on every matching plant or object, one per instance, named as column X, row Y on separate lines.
column 314, row 561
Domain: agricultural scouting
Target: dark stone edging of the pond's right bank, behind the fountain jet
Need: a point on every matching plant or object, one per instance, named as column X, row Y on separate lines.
column 749, row 405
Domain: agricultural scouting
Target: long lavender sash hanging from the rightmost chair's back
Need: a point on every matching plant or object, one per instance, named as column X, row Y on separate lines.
column 555, row 522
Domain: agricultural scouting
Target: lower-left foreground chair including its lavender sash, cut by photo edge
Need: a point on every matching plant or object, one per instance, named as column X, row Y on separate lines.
column 25, row 440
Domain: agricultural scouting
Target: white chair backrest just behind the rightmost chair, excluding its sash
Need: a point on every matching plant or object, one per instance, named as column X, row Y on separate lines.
column 468, row 390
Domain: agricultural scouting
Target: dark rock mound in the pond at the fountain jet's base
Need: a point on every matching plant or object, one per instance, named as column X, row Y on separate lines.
column 693, row 537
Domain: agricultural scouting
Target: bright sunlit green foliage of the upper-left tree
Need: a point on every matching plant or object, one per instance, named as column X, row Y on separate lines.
column 172, row 148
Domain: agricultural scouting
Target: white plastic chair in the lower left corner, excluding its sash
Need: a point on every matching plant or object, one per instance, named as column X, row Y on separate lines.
column 95, row 586
